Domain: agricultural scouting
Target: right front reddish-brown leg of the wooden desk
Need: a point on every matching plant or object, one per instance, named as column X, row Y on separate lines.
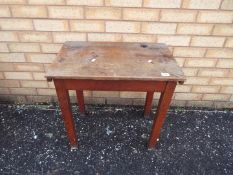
column 163, row 106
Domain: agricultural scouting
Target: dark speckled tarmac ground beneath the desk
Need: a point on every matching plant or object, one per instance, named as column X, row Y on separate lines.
column 113, row 141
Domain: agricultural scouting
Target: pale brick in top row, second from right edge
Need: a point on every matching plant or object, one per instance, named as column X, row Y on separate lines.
column 200, row 4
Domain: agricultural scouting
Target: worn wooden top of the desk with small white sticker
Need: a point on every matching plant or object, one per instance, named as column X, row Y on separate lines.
column 115, row 61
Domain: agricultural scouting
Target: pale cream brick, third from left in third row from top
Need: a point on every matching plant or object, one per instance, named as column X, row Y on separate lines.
column 87, row 26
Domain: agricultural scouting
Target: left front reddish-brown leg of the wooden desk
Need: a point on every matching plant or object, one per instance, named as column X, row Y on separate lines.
column 64, row 101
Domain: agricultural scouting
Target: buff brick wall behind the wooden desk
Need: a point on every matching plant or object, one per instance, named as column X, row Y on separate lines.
column 199, row 32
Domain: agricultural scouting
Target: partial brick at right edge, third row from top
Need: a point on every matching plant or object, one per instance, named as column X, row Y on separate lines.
column 223, row 29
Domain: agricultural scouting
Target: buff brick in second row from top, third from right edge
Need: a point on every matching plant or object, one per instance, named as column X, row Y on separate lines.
column 140, row 14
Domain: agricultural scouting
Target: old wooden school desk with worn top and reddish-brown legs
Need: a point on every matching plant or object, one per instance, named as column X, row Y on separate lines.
column 115, row 67
